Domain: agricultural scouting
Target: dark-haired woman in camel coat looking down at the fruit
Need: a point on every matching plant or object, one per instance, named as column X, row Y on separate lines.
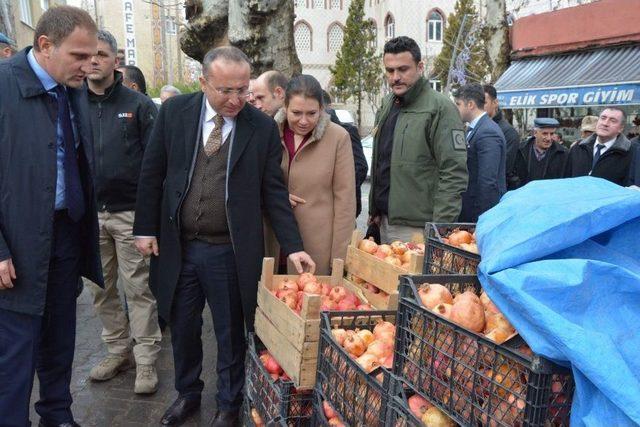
column 318, row 168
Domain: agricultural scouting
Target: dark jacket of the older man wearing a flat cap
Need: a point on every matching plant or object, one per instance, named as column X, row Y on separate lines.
column 528, row 169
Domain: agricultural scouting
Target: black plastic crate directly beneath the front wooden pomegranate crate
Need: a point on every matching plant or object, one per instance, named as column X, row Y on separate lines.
column 277, row 402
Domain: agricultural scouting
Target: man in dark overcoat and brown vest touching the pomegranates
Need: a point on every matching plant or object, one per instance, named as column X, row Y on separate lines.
column 211, row 166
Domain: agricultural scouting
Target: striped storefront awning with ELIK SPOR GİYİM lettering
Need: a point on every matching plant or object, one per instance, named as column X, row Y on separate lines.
column 605, row 76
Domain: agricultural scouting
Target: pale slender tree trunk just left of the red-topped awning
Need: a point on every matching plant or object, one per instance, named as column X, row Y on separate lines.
column 497, row 37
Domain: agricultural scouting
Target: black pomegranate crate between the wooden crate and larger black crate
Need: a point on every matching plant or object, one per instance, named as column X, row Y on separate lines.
column 359, row 398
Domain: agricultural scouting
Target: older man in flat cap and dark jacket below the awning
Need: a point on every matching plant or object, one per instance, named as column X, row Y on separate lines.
column 539, row 156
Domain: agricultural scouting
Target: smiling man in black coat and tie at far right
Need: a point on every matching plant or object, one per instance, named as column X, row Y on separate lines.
column 607, row 153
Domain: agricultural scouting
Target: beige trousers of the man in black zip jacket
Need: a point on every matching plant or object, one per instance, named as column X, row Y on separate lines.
column 121, row 259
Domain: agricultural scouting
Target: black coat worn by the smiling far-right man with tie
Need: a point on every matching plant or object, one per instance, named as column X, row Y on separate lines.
column 613, row 165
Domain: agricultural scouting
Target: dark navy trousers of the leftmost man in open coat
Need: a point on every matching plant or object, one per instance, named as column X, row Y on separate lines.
column 43, row 343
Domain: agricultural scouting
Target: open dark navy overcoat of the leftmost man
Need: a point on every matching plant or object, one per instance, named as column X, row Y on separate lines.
column 28, row 119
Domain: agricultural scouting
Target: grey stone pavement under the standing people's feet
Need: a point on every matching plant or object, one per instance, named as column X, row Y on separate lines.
column 113, row 403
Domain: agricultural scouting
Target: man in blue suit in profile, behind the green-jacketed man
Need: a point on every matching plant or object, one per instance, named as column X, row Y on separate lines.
column 486, row 154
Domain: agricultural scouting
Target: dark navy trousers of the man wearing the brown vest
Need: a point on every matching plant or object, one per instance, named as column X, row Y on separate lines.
column 208, row 274
